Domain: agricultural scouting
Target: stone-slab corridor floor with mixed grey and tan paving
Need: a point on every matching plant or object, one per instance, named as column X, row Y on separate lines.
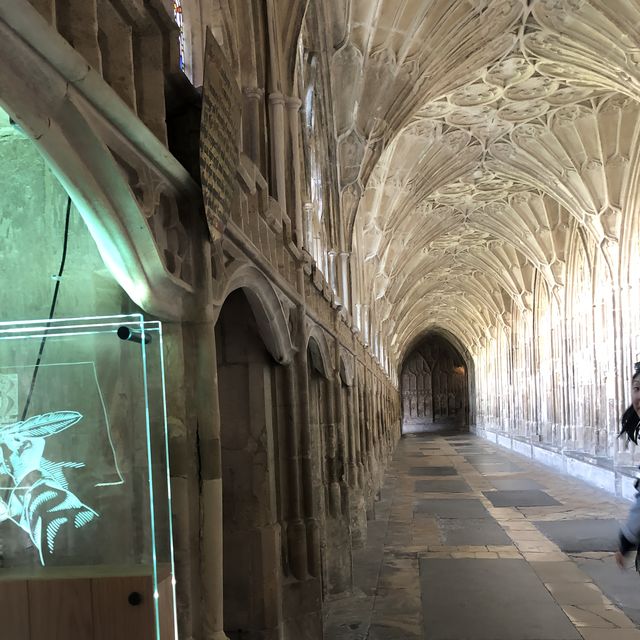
column 473, row 542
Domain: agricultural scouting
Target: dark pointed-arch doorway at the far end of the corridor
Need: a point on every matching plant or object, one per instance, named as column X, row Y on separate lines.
column 434, row 386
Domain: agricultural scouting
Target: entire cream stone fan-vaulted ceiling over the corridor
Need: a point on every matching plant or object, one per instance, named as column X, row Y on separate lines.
column 474, row 137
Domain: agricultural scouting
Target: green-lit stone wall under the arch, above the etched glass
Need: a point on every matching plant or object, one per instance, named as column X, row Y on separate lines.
column 32, row 219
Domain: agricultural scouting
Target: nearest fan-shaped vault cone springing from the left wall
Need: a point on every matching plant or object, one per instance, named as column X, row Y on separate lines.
column 392, row 56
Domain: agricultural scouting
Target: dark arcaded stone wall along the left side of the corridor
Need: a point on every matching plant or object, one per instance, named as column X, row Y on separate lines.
column 282, row 414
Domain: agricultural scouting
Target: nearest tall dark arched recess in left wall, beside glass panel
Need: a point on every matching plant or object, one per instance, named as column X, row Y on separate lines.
column 252, row 540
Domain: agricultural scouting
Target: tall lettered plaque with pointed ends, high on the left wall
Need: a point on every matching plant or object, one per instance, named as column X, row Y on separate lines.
column 219, row 137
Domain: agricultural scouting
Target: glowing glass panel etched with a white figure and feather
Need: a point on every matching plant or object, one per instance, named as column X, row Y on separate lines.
column 84, row 486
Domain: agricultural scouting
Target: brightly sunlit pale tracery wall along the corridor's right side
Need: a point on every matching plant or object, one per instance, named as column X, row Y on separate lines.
column 559, row 375
